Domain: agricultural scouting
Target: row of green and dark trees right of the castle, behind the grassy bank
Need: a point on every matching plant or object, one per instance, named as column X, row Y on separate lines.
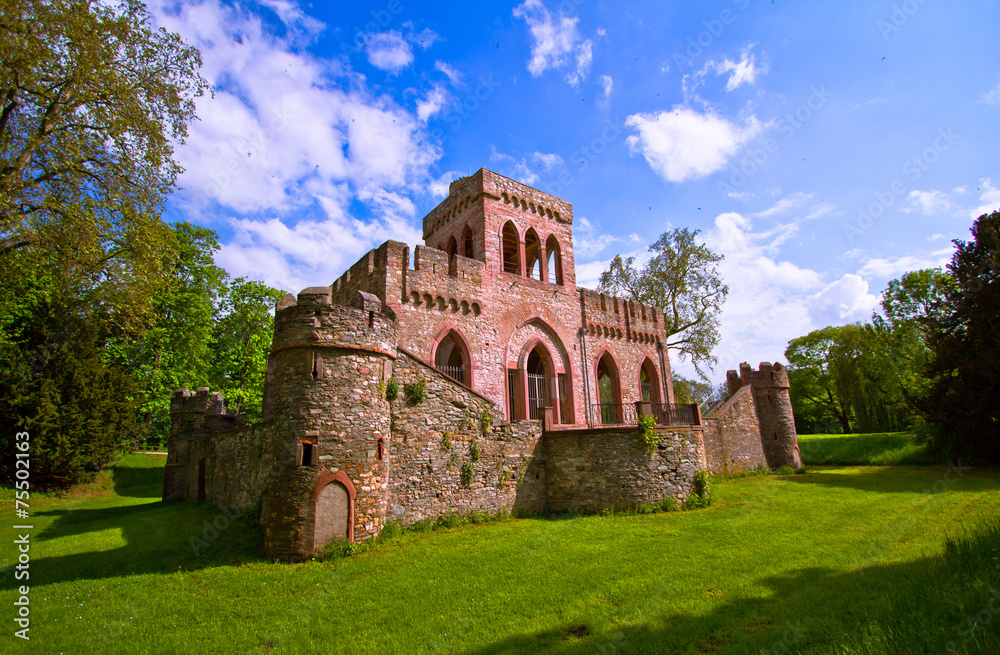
column 929, row 361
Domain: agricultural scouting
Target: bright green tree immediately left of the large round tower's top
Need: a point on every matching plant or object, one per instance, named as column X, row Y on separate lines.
column 243, row 335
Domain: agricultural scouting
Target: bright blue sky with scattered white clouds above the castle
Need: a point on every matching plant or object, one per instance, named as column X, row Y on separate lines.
column 823, row 148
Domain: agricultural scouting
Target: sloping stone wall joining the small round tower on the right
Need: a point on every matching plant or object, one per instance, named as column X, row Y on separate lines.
column 732, row 436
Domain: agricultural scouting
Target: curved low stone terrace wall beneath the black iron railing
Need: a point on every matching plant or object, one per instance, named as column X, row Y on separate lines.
column 594, row 470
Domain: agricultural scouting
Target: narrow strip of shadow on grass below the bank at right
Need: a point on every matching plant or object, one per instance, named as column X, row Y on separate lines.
column 905, row 480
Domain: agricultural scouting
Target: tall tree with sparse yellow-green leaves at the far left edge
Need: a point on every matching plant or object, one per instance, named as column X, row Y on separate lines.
column 92, row 101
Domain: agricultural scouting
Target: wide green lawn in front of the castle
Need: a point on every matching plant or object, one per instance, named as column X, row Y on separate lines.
column 839, row 560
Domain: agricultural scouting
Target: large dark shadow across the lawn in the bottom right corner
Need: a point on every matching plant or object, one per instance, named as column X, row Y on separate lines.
column 938, row 604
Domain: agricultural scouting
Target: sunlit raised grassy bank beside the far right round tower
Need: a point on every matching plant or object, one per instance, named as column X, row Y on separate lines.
column 878, row 449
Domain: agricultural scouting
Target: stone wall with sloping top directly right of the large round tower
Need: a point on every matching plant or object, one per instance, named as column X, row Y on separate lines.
column 434, row 440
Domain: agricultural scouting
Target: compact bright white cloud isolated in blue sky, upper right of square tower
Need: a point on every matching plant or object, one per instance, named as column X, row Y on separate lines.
column 683, row 144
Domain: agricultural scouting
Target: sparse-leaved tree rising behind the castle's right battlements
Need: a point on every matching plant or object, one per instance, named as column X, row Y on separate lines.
column 682, row 277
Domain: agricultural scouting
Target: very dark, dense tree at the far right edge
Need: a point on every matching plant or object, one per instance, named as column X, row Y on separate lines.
column 963, row 333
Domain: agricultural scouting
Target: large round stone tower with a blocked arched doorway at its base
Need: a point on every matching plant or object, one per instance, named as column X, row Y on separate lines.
column 330, row 366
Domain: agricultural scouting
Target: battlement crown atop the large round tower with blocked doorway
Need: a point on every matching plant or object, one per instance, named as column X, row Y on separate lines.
column 313, row 320
